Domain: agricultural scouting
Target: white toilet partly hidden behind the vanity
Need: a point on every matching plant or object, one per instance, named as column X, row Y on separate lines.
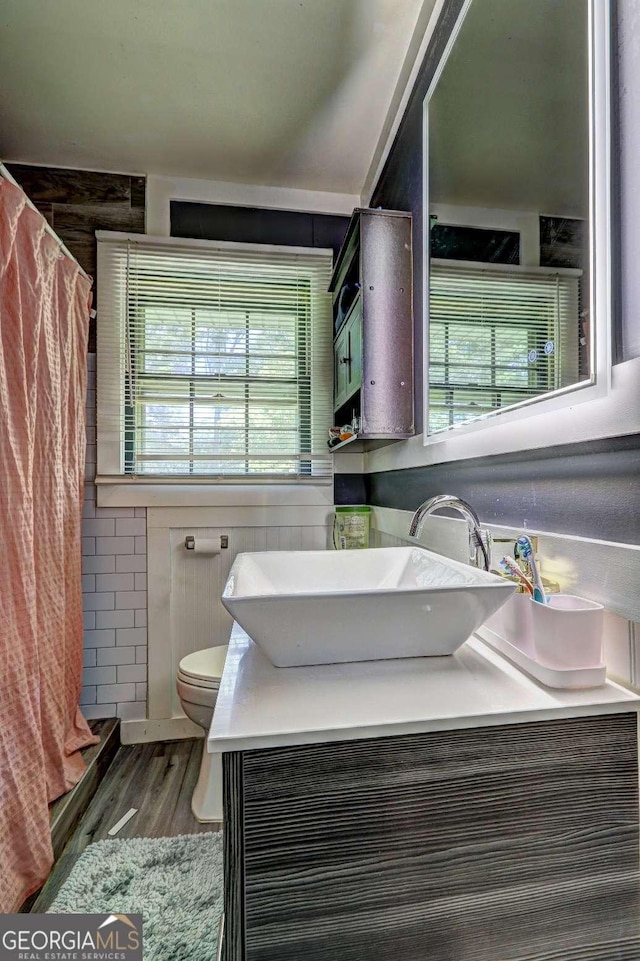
column 198, row 681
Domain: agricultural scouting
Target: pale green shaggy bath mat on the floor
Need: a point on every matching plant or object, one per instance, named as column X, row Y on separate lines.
column 174, row 883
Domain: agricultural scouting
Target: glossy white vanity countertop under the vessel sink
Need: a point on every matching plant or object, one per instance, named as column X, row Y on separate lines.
column 261, row 706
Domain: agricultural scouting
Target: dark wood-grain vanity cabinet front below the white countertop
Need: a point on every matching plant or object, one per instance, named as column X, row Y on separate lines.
column 496, row 843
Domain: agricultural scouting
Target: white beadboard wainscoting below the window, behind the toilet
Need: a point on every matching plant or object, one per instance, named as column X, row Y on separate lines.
column 185, row 613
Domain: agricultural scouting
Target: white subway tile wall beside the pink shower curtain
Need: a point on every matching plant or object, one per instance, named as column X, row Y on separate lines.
column 114, row 585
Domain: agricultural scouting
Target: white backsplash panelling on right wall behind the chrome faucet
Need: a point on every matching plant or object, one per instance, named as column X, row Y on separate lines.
column 601, row 570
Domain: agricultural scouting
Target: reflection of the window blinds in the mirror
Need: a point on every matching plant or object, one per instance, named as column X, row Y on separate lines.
column 497, row 337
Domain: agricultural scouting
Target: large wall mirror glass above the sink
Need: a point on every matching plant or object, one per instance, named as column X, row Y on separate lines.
column 507, row 137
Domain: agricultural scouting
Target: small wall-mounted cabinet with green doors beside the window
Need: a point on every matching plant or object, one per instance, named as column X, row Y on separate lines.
column 373, row 325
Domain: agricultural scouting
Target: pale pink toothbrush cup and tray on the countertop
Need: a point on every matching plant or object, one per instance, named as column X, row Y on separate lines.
column 514, row 629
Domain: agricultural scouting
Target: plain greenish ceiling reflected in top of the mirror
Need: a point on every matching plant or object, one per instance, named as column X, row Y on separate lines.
column 508, row 122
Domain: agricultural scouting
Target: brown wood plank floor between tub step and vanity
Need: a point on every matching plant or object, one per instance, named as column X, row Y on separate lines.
column 157, row 779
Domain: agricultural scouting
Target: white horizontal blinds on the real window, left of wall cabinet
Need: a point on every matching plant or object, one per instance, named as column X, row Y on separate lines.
column 213, row 360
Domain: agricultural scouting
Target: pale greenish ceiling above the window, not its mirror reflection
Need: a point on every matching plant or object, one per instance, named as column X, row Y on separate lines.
column 281, row 92
